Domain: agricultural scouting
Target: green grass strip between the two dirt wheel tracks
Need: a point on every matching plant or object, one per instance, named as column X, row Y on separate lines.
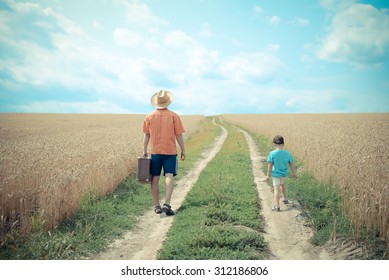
column 219, row 218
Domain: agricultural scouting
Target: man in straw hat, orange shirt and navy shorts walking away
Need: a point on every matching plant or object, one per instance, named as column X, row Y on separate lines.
column 162, row 128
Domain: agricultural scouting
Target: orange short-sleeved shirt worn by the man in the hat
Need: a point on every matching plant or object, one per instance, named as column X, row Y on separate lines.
column 163, row 126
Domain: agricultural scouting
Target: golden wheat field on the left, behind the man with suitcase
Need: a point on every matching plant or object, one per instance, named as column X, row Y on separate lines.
column 49, row 161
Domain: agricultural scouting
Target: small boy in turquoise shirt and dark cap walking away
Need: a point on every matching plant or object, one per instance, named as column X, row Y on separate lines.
column 278, row 162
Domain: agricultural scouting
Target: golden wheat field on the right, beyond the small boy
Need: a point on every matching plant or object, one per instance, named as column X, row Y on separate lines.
column 349, row 150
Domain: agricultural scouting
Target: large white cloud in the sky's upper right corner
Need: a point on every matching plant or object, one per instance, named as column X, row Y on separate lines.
column 358, row 35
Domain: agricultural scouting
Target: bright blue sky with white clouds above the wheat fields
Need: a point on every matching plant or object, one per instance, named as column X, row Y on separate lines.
column 215, row 56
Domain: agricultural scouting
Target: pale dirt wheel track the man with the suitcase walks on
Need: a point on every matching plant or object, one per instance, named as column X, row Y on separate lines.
column 146, row 239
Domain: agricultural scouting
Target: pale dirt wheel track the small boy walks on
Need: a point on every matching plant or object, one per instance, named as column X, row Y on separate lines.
column 285, row 232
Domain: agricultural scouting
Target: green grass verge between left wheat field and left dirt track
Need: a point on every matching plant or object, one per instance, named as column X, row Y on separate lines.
column 99, row 220
